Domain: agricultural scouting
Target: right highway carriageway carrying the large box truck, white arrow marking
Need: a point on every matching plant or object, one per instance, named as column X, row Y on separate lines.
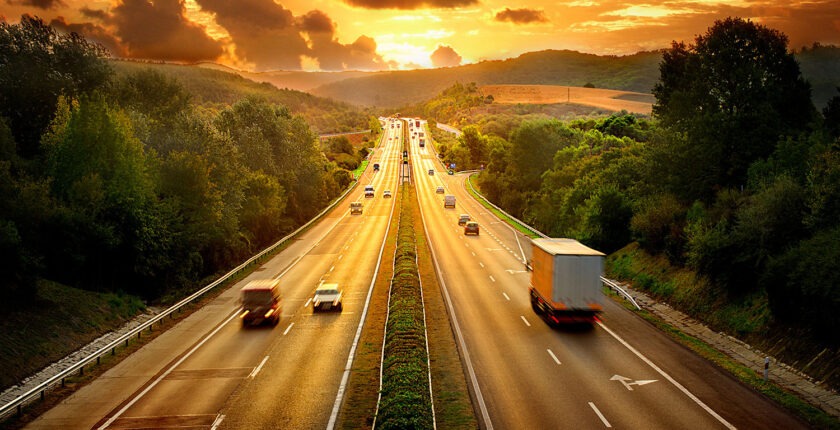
column 623, row 373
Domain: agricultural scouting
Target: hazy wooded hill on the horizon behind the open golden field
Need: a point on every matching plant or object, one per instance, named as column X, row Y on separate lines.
column 635, row 73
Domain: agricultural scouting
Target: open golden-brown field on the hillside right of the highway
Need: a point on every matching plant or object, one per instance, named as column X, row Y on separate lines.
column 549, row 94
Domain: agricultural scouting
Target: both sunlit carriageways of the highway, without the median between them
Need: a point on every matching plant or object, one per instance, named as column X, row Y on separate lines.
column 210, row 372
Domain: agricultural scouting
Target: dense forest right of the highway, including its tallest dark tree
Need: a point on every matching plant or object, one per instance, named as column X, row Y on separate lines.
column 736, row 177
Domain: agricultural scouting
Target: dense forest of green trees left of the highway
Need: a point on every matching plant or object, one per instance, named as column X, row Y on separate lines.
column 124, row 182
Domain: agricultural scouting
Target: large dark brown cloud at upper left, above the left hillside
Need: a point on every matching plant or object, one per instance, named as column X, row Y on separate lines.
column 158, row 29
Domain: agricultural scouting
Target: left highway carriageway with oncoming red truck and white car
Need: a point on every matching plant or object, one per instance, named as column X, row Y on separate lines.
column 209, row 371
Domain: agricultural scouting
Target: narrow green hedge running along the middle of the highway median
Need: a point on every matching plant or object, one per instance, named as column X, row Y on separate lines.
column 406, row 402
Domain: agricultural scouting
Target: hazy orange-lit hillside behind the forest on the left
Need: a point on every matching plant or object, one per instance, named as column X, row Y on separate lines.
column 218, row 85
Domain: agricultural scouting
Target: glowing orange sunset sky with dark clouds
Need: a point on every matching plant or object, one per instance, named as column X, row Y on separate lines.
column 332, row 35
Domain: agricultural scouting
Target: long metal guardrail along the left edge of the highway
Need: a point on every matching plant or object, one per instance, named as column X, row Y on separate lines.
column 40, row 390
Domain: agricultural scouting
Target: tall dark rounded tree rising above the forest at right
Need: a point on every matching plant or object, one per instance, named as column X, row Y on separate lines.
column 733, row 94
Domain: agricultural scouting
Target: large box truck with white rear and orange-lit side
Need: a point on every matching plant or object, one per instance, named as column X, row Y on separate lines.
column 566, row 281
